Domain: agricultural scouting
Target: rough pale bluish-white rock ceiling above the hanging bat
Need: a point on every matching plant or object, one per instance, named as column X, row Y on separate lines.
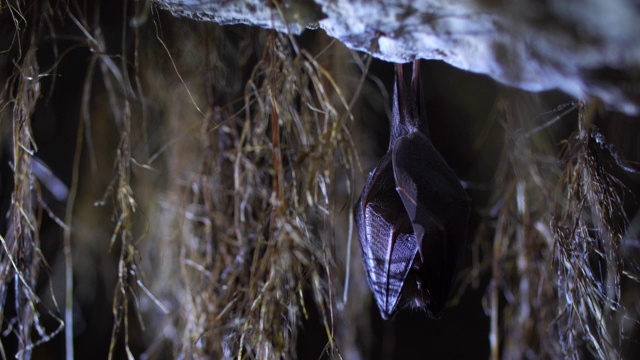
column 587, row 48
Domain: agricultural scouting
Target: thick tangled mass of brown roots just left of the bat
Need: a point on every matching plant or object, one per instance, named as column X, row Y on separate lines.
column 253, row 233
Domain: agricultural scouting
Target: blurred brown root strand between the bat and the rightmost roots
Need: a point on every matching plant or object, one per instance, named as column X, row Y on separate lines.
column 520, row 290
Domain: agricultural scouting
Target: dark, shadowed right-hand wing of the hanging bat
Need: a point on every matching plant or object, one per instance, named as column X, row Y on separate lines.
column 437, row 207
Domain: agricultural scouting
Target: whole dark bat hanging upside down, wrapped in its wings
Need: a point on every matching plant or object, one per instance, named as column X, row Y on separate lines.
column 412, row 214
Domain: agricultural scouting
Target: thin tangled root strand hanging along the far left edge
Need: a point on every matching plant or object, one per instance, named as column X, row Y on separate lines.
column 20, row 256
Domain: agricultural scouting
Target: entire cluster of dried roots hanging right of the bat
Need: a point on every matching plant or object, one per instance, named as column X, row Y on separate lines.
column 558, row 222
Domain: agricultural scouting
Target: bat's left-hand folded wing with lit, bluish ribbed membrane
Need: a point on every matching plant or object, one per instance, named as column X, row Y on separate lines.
column 388, row 250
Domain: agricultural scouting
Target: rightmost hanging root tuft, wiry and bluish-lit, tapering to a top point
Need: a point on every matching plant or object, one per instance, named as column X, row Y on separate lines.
column 588, row 232
